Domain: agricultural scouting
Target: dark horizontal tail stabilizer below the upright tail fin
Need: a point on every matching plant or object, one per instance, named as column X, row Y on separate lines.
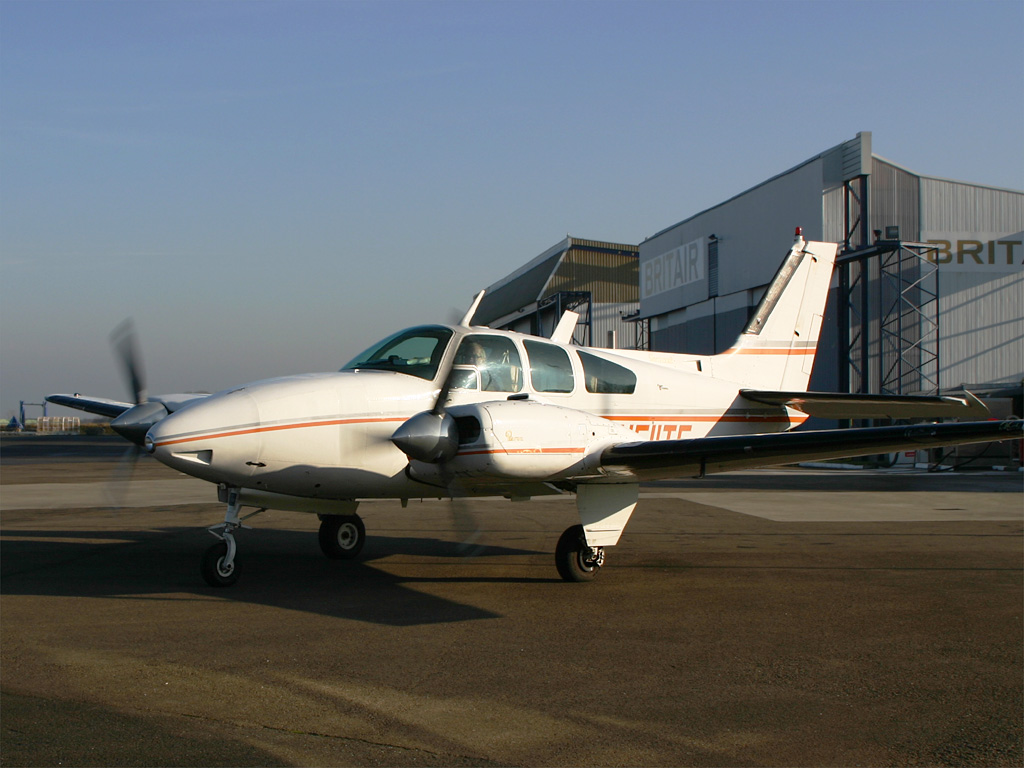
column 844, row 406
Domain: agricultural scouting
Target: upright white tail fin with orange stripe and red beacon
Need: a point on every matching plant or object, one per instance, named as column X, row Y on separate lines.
column 777, row 351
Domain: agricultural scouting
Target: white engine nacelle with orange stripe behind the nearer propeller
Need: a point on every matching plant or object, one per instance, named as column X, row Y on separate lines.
column 525, row 441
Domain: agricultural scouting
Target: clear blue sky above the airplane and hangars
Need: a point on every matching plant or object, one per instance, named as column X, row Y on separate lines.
column 268, row 188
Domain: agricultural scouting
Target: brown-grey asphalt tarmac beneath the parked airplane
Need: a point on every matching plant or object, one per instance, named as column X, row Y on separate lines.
column 789, row 618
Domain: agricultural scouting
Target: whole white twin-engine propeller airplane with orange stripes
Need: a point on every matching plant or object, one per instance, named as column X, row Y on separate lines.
column 460, row 411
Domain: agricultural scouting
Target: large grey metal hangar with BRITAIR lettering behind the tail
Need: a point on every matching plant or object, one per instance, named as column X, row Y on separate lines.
column 927, row 295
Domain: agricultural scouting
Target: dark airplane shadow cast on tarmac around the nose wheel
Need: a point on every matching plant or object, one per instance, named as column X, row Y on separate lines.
column 280, row 569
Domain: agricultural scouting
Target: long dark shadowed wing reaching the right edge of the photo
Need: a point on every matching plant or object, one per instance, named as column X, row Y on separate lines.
column 668, row 459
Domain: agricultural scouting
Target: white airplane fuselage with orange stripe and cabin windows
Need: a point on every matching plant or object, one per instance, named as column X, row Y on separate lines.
column 328, row 436
